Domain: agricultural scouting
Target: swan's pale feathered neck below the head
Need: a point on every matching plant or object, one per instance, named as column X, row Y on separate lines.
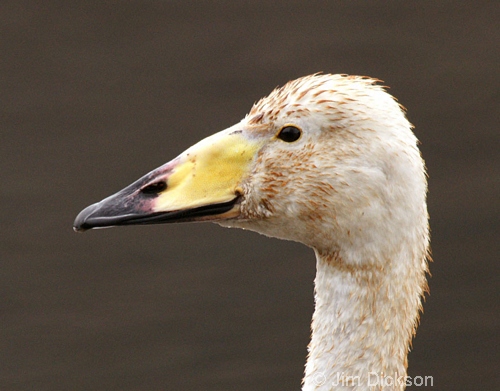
column 364, row 319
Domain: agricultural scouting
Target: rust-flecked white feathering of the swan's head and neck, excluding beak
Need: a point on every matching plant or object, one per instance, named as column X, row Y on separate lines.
column 353, row 188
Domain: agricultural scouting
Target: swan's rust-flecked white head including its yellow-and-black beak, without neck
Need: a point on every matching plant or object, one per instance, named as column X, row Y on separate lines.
column 326, row 160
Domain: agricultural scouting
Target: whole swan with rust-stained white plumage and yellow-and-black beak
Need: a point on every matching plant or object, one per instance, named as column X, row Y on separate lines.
column 329, row 161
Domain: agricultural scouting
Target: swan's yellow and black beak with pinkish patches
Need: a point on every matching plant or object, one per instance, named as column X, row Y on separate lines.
column 202, row 184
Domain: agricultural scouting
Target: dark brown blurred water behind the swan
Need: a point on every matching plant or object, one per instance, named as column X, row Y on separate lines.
column 94, row 94
